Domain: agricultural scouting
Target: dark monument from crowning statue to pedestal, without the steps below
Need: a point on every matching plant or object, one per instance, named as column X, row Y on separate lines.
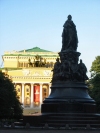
column 69, row 90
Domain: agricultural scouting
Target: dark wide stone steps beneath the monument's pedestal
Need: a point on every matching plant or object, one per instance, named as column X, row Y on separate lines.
column 72, row 120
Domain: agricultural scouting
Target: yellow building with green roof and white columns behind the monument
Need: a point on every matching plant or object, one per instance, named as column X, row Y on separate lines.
column 30, row 70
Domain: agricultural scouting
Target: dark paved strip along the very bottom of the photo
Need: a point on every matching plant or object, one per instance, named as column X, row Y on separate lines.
column 47, row 131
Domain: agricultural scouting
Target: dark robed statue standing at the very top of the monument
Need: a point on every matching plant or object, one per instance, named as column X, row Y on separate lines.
column 69, row 35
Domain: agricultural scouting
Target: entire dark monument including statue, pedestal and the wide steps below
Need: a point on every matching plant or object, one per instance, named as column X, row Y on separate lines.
column 69, row 104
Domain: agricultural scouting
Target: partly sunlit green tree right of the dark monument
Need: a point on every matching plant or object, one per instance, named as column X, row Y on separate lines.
column 94, row 82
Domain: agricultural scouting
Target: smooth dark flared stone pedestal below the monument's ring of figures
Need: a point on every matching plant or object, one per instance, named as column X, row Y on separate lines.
column 69, row 97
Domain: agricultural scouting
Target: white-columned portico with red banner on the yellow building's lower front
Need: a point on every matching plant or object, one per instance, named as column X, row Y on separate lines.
column 32, row 90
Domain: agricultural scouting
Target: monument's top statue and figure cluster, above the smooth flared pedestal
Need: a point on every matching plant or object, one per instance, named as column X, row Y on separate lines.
column 68, row 68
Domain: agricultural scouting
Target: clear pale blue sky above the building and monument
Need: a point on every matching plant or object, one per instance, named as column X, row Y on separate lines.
column 25, row 24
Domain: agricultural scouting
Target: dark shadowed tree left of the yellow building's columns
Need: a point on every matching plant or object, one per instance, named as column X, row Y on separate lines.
column 10, row 107
